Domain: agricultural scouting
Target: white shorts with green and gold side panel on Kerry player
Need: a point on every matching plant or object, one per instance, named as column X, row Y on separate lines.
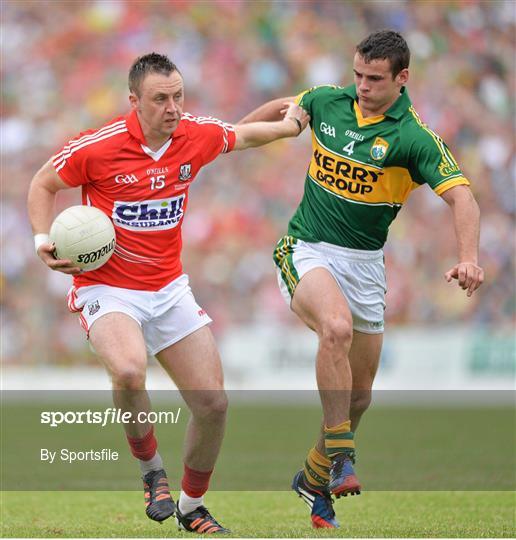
column 360, row 275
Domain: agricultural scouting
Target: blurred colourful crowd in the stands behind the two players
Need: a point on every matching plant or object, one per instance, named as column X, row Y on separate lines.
column 64, row 69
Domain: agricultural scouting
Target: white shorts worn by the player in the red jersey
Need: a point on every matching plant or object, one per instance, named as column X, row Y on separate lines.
column 165, row 316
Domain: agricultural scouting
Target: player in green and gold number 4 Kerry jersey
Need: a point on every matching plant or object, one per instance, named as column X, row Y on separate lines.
column 369, row 151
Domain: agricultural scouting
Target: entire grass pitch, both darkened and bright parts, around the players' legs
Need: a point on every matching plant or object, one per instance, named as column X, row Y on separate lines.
column 450, row 452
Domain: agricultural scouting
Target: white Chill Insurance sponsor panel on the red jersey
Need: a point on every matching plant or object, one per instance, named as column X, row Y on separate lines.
column 154, row 215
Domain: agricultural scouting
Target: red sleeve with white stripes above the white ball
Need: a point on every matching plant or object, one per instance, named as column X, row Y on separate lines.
column 71, row 162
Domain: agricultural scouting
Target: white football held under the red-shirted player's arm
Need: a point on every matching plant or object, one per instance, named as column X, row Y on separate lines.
column 85, row 235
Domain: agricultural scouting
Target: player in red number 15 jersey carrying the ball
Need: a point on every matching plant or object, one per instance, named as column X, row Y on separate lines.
column 138, row 169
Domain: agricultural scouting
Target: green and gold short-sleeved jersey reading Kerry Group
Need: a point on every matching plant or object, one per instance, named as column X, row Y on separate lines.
column 362, row 170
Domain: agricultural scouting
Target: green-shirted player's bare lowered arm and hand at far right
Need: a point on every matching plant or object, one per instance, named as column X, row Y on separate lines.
column 466, row 217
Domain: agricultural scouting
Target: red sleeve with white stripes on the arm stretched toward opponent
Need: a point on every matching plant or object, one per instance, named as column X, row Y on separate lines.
column 214, row 136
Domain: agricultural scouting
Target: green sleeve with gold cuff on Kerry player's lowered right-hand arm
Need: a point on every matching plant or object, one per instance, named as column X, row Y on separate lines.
column 430, row 160
